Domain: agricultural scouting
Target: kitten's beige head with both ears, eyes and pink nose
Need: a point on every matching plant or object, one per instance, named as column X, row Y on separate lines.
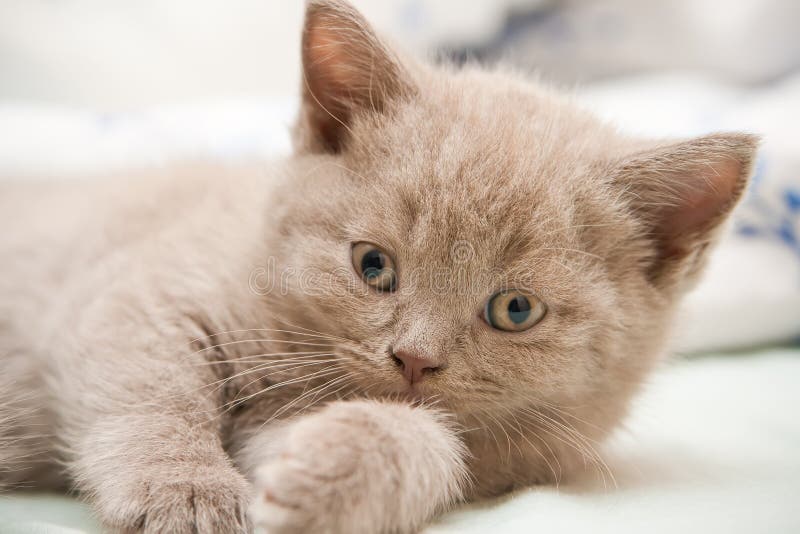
column 482, row 240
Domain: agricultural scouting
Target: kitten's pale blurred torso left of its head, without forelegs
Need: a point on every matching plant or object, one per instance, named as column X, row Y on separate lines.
column 74, row 247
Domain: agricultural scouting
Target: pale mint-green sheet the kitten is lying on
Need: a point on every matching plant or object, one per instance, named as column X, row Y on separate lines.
column 713, row 445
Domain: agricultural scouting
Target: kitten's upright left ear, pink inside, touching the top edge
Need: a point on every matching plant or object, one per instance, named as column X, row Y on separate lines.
column 347, row 70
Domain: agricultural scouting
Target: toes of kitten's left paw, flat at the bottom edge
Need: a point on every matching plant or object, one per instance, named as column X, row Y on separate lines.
column 194, row 501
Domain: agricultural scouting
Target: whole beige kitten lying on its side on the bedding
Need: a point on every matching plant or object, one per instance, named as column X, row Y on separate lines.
column 450, row 290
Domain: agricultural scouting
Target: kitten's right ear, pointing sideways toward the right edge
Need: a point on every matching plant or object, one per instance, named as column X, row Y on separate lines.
column 682, row 193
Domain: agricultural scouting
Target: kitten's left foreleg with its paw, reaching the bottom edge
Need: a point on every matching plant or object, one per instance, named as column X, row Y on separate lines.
column 143, row 442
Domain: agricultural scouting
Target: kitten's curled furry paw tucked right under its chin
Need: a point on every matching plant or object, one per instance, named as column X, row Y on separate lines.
column 356, row 466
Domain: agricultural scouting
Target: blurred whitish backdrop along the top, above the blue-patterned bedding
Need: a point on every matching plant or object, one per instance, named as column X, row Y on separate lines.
column 118, row 54
